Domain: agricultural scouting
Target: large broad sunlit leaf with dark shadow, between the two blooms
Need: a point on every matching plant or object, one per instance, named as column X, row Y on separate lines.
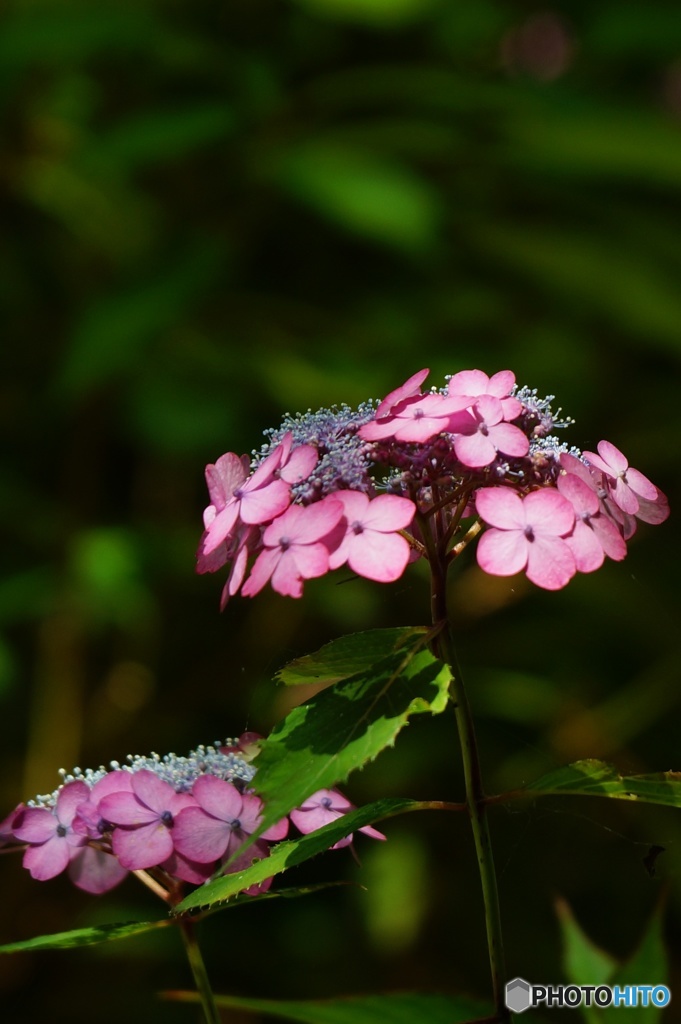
column 319, row 744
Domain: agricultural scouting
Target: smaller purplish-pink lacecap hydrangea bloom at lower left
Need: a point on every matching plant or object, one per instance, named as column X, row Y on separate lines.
column 175, row 820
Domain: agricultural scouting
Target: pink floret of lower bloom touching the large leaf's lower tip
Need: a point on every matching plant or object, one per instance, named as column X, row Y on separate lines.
column 220, row 822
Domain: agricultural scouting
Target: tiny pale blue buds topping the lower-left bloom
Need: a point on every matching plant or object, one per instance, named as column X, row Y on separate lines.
column 181, row 772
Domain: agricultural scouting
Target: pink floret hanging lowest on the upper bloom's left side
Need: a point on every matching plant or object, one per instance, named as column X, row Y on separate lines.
column 294, row 548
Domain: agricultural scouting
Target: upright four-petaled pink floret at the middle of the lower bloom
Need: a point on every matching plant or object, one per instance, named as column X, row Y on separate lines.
column 145, row 818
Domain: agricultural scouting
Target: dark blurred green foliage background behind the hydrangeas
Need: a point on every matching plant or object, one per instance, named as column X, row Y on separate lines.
column 214, row 214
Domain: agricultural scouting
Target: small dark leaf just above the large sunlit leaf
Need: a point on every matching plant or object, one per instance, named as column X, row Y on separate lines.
column 350, row 655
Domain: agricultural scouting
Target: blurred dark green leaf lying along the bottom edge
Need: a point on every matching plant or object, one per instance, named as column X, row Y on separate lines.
column 392, row 1008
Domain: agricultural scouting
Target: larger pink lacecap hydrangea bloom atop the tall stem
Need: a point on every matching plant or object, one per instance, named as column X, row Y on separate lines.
column 422, row 475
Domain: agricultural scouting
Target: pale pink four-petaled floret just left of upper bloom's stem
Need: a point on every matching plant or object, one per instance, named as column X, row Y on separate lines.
column 371, row 546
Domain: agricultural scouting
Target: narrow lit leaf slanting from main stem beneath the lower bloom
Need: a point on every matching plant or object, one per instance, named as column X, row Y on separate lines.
column 286, row 856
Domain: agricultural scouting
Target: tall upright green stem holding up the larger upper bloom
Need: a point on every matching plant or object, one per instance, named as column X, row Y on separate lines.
column 476, row 799
